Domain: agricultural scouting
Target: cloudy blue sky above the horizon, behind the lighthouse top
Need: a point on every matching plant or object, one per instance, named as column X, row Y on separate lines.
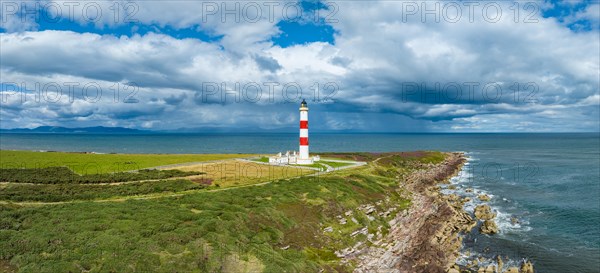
column 362, row 66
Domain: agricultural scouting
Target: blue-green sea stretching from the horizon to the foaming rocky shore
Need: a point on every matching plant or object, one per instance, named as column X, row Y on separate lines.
column 545, row 188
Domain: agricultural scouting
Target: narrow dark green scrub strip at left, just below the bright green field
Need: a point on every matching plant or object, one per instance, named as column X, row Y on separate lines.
column 56, row 175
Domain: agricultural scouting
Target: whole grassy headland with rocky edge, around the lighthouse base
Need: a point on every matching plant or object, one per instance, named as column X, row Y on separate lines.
column 232, row 213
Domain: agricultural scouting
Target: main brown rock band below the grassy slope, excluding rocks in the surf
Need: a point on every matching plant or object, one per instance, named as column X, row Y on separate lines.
column 424, row 238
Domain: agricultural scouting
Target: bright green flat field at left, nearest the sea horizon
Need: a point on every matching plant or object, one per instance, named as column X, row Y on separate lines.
column 83, row 163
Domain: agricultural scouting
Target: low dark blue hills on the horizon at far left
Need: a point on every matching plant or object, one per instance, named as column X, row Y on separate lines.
column 83, row 130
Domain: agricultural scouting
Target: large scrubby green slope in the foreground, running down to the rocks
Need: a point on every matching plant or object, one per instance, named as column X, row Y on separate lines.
column 275, row 227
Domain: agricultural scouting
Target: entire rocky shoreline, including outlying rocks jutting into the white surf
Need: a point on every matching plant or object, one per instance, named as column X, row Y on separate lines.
column 428, row 237
